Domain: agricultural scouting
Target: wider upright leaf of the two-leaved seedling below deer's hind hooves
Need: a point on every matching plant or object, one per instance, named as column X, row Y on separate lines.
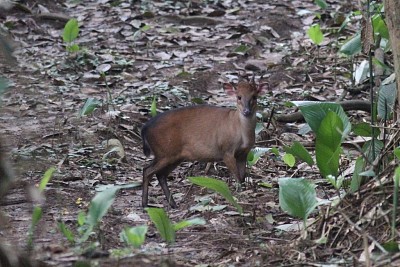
column 163, row 224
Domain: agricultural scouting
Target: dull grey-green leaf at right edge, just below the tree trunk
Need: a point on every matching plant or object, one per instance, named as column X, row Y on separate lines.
column 386, row 100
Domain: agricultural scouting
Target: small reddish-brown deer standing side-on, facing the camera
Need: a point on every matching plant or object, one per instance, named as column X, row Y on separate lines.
column 202, row 133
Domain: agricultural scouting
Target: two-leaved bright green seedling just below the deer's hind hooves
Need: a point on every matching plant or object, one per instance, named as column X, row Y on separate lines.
column 164, row 225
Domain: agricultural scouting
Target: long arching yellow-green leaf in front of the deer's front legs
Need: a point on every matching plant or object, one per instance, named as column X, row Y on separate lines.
column 218, row 186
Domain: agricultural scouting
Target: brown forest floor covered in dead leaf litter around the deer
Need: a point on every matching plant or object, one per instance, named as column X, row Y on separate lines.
column 187, row 51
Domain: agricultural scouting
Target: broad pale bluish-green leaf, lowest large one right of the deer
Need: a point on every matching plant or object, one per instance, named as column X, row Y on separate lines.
column 297, row 197
